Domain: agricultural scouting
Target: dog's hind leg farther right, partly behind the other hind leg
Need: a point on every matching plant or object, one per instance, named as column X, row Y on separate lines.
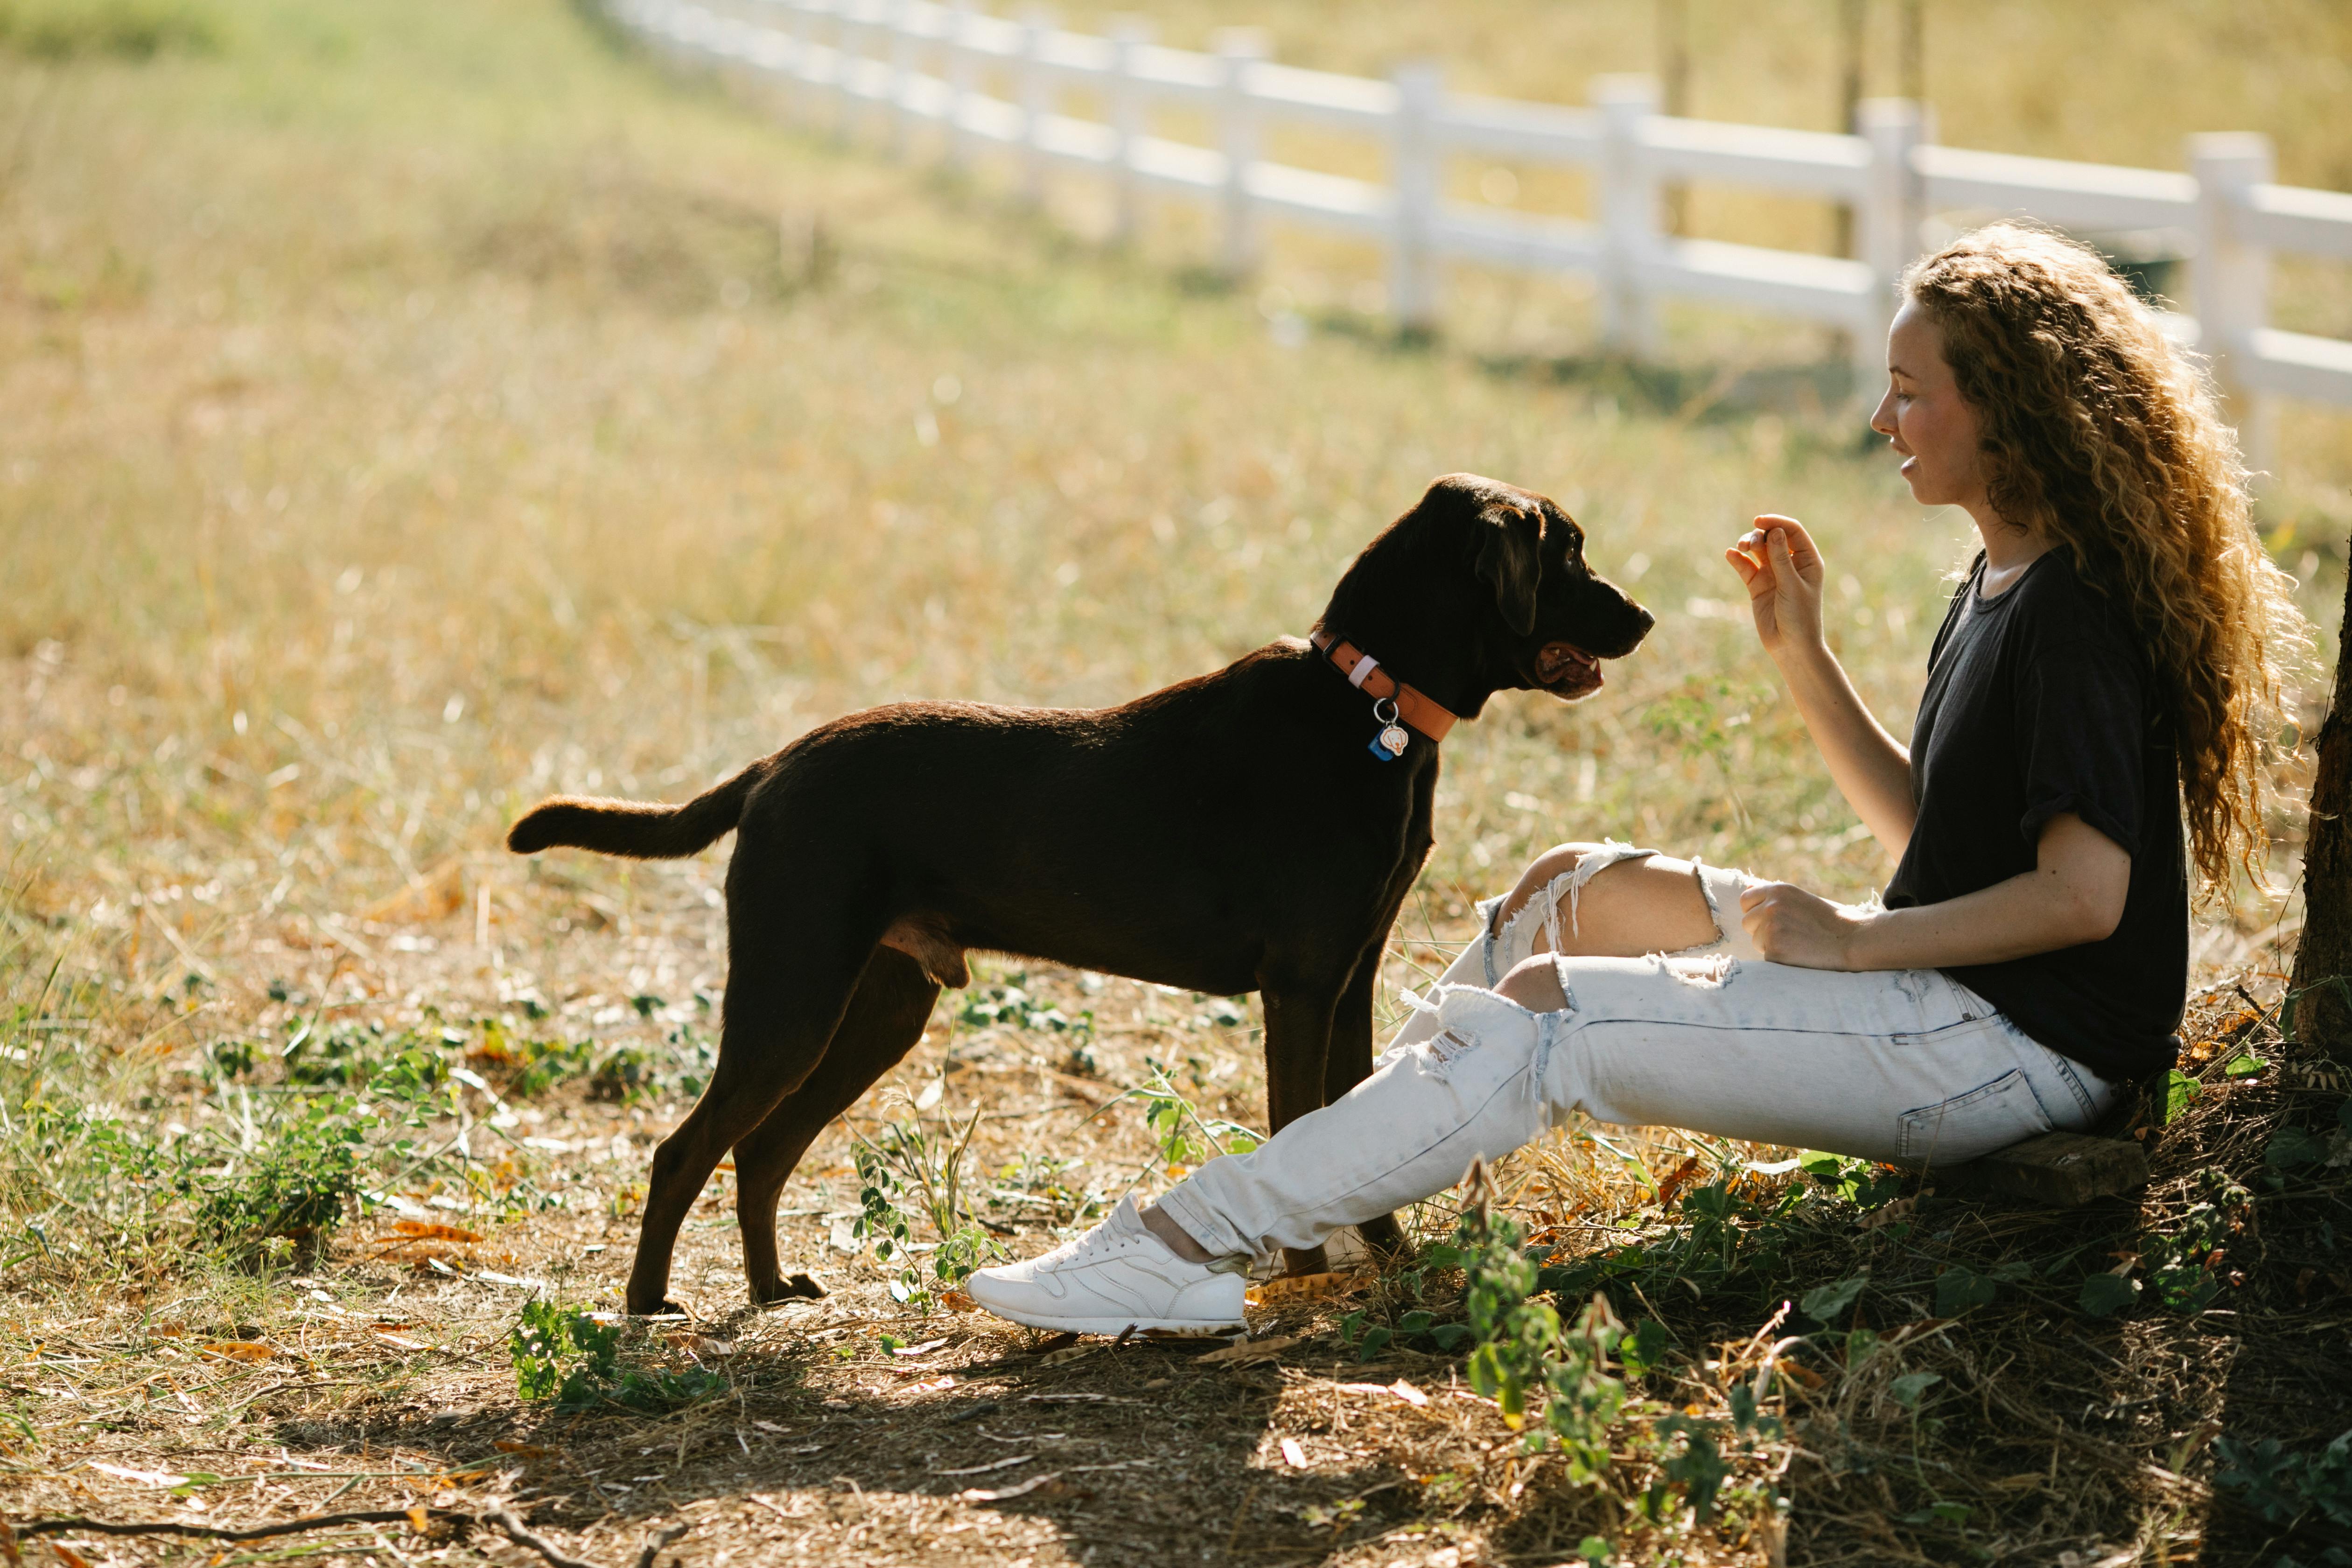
column 883, row 1024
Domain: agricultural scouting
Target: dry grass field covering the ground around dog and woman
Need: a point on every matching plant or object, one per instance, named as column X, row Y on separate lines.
column 410, row 410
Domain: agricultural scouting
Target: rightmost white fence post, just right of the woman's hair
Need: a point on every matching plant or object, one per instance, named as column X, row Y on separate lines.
column 2233, row 281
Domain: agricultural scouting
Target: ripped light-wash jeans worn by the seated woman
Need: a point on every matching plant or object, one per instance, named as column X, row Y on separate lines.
column 1904, row 1066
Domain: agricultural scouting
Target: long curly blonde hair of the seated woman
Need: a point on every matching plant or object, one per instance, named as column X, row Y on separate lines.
column 2097, row 429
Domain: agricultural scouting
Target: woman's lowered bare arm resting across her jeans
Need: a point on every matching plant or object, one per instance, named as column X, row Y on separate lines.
column 2076, row 894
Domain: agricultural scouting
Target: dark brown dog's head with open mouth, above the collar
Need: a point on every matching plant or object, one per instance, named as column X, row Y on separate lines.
column 1485, row 589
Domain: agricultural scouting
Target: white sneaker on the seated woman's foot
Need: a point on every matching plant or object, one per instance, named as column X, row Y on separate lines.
column 1111, row 1280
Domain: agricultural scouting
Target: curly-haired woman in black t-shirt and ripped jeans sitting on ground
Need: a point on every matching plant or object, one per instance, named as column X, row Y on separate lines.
column 2111, row 664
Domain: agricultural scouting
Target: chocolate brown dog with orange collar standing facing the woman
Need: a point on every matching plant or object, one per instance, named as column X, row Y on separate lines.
column 1255, row 829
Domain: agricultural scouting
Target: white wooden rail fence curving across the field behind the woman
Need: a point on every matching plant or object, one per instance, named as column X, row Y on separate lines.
column 918, row 62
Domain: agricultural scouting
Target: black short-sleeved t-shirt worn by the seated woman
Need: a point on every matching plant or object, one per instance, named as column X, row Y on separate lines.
column 2043, row 702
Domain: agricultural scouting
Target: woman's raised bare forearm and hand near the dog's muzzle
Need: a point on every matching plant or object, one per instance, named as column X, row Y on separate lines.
column 1784, row 572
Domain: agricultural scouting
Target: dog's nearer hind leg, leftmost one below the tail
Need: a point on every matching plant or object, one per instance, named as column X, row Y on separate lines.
column 787, row 993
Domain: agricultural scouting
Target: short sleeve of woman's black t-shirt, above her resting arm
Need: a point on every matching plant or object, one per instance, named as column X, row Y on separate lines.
column 2080, row 737
